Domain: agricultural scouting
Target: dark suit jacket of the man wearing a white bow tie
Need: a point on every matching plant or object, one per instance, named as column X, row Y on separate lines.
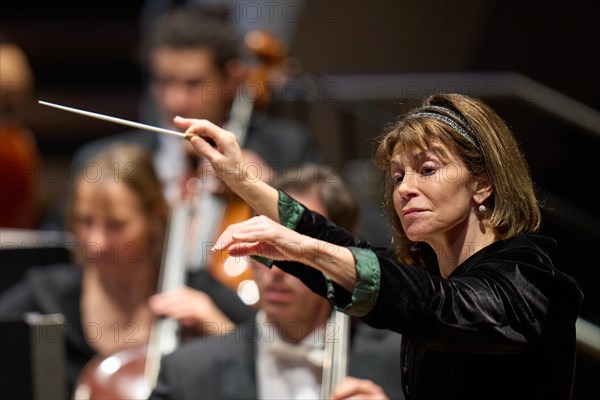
column 223, row 367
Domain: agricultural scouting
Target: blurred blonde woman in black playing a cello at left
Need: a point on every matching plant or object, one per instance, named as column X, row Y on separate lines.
column 118, row 218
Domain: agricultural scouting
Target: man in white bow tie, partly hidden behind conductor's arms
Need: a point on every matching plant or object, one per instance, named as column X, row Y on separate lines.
column 266, row 359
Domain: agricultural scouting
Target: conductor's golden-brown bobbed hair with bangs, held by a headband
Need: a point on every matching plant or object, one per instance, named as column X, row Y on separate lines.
column 493, row 158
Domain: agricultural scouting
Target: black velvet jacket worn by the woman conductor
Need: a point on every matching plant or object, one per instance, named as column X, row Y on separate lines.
column 502, row 326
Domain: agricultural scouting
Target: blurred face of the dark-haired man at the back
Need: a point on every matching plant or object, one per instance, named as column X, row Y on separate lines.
column 186, row 82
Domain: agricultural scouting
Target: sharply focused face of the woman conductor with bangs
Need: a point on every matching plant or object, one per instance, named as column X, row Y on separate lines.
column 433, row 194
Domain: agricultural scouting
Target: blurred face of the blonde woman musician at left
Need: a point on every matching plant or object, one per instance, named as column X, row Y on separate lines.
column 113, row 231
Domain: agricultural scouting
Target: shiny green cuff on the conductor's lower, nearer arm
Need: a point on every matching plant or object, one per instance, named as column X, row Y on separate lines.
column 366, row 290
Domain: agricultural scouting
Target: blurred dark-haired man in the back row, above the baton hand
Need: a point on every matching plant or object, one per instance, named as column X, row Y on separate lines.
column 197, row 64
